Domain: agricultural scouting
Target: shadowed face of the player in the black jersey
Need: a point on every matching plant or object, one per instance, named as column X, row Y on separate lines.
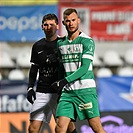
column 50, row 27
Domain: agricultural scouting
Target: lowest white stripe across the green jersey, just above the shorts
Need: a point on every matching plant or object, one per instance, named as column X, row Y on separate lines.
column 81, row 84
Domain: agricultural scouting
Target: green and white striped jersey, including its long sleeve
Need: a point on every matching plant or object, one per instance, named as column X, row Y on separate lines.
column 77, row 59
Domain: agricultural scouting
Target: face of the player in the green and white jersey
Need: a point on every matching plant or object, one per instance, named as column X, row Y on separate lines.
column 71, row 22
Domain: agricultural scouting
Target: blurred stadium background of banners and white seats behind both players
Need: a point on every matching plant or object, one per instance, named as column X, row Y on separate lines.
column 108, row 22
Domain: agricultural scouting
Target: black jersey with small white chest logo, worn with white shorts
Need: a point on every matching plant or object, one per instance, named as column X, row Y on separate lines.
column 48, row 71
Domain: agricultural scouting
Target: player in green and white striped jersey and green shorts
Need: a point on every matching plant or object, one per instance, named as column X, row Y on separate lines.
column 78, row 97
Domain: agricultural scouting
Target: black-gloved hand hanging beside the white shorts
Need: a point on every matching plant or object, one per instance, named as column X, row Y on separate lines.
column 31, row 96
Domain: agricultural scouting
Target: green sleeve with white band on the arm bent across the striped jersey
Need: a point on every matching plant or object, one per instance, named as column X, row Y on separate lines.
column 86, row 61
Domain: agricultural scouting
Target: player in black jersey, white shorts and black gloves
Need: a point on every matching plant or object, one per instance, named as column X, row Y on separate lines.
column 44, row 65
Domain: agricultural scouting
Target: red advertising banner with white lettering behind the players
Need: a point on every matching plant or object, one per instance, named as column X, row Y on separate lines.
column 103, row 22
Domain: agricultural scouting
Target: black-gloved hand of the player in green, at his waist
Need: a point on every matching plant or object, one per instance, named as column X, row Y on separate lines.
column 58, row 85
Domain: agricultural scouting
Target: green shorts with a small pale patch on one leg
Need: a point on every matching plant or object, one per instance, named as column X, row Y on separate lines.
column 81, row 107
